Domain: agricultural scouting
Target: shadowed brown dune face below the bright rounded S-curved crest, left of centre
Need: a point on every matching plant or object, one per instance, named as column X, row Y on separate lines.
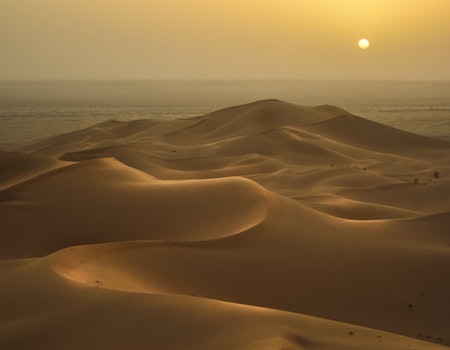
column 103, row 200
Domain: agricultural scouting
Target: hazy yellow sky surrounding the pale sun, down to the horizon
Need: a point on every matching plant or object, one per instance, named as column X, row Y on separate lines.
column 224, row 39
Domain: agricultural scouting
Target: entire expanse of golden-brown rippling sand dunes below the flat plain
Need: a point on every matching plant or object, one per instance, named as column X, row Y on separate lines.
column 262, row 226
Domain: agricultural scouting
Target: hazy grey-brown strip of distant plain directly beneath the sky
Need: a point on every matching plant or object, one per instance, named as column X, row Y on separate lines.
column 221, row 92
